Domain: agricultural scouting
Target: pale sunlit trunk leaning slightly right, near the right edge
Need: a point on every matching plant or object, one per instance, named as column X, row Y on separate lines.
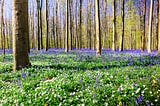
column 150, row 27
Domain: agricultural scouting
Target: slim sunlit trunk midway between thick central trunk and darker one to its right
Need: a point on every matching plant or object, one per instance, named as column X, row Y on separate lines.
column 114, row 26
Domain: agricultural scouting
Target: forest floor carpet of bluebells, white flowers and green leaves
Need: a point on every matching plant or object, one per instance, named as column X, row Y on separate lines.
column 79, row 78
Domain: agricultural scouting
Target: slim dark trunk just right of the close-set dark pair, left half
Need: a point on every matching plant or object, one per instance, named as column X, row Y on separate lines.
column 47, row 29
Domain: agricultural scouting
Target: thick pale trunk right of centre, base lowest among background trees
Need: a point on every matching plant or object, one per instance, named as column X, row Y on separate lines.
column 98, row 36
